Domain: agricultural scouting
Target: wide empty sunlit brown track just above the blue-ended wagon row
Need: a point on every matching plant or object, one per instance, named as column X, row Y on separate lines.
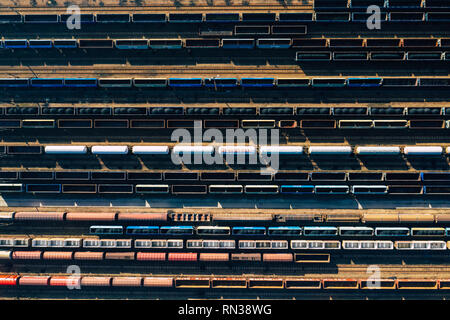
column 200, row 70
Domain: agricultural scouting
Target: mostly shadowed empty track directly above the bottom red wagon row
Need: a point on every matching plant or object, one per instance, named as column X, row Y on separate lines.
column 298, row 272
